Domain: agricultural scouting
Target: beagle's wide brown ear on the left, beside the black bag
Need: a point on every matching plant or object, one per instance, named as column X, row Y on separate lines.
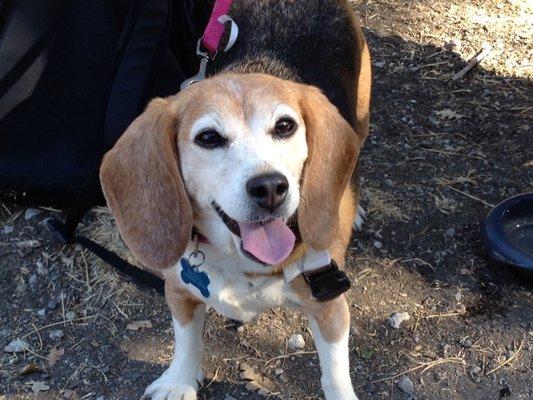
column 143, row 187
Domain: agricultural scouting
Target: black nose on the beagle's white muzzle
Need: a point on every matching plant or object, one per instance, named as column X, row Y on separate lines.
column 268, row 191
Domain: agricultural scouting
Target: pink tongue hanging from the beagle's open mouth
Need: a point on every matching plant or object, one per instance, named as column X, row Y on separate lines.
column 270, row 242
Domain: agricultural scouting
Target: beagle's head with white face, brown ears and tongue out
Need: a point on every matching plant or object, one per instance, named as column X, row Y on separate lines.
column 238, row 156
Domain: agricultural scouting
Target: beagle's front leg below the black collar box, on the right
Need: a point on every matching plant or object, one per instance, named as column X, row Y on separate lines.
column 330, row 324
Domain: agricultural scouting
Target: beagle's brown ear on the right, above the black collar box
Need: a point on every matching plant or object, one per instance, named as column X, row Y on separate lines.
column 333, row 147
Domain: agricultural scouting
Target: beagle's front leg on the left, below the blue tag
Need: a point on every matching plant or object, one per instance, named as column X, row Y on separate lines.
column 180, row 380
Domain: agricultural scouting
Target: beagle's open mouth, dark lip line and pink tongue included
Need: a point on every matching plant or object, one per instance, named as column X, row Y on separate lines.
column 267, row 242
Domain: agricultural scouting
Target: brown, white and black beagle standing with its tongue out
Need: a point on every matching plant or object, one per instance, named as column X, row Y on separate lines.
column 237, row 184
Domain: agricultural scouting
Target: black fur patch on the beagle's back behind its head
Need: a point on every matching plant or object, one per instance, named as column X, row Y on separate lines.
column 308, row 41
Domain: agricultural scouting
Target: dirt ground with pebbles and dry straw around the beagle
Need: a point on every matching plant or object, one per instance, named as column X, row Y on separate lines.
column 441, row 152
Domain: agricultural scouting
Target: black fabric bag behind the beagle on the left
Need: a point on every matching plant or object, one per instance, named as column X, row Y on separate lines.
column 73, row 75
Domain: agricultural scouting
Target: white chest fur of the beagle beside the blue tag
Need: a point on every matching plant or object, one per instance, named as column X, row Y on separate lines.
column 232, row 292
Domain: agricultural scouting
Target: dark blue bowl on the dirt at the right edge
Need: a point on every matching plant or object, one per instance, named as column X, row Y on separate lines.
column 507, row 233
